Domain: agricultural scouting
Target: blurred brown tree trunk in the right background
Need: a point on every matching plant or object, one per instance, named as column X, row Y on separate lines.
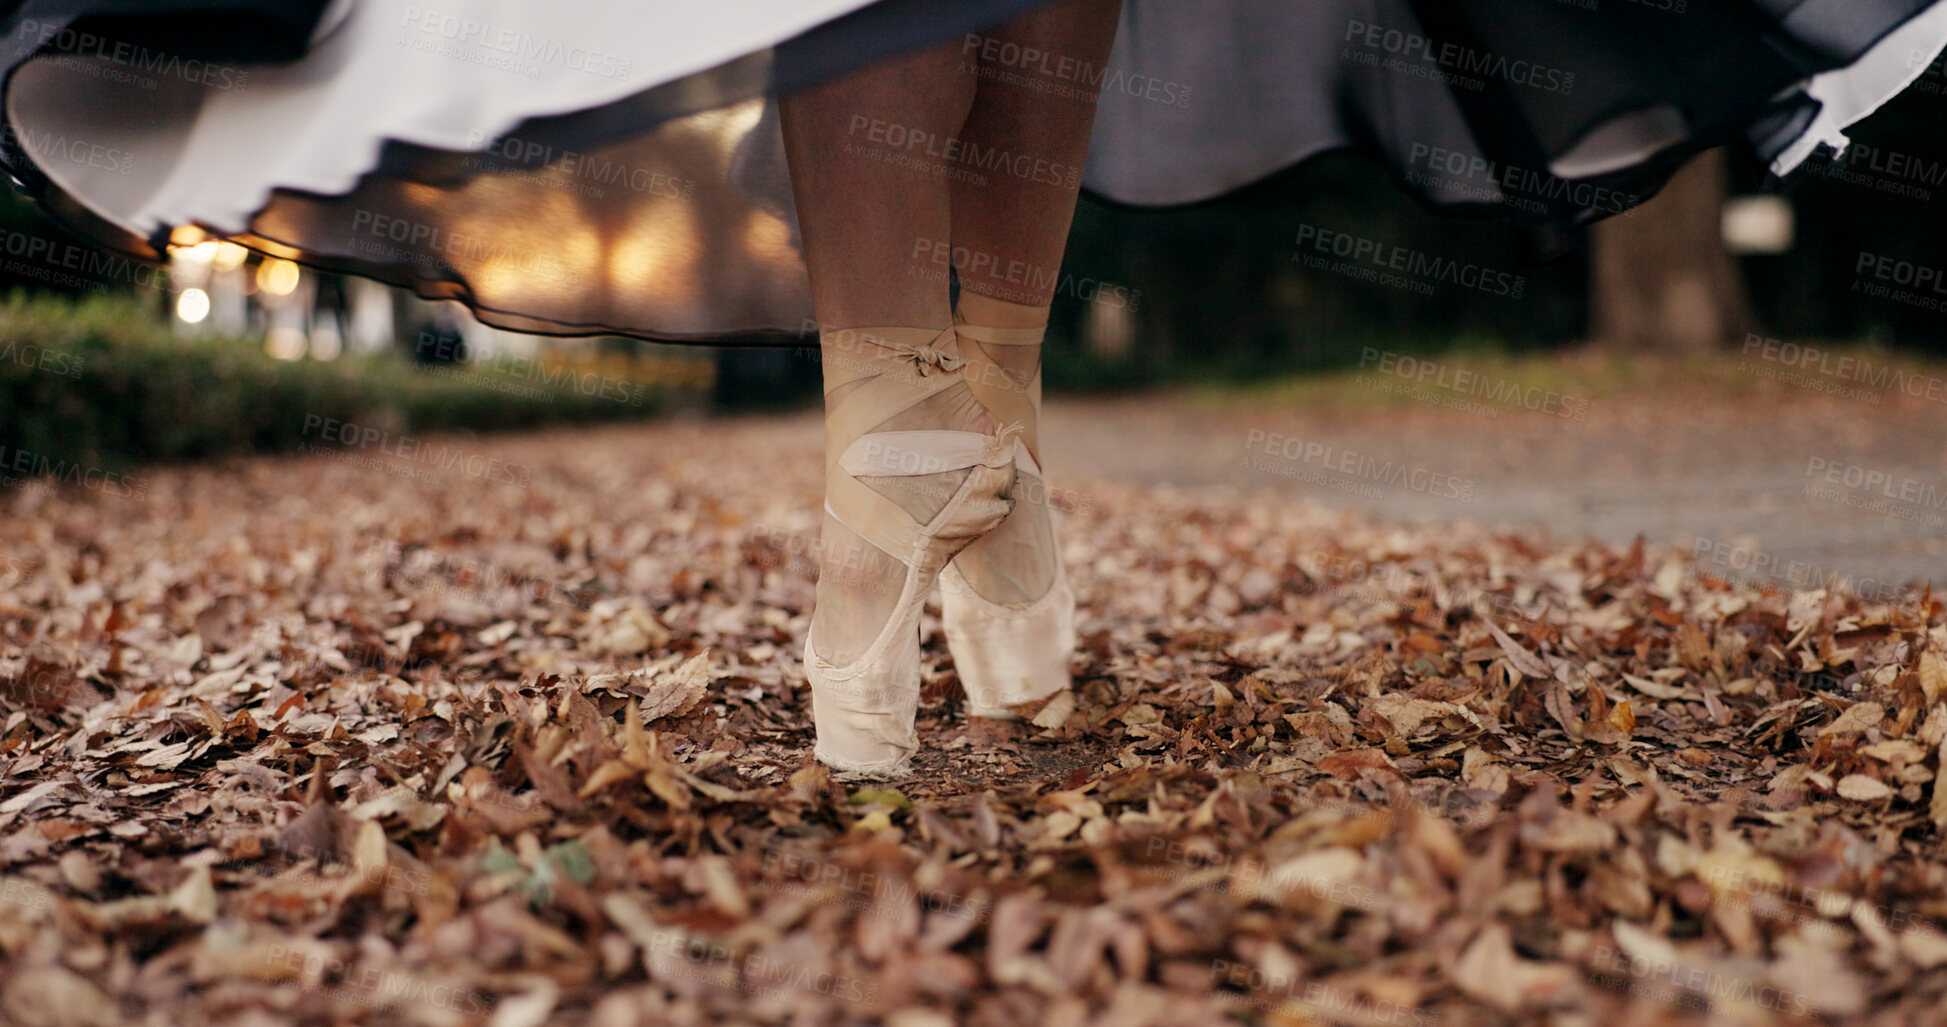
column 1662, row 278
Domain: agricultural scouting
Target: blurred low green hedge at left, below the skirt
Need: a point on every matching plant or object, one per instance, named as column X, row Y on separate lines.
column 108, row 385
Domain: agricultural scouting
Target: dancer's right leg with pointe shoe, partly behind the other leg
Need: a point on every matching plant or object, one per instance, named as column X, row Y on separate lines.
column 1011, row 642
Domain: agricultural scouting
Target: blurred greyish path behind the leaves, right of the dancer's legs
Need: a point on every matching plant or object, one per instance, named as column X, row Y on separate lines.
column 1745, row 480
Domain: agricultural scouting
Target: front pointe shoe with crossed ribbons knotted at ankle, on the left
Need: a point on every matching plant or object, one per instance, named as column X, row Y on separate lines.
column 887, row 471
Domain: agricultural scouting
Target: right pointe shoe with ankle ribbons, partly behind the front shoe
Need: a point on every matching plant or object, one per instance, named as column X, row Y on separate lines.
column 1006, row 601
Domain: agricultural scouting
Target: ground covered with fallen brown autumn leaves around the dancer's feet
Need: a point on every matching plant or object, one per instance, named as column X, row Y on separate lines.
column 383, row 742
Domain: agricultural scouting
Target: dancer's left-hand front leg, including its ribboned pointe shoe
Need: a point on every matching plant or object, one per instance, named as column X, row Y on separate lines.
column 897, row 504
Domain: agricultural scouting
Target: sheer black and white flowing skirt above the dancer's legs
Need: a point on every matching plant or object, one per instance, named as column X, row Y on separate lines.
column 616, row 169
